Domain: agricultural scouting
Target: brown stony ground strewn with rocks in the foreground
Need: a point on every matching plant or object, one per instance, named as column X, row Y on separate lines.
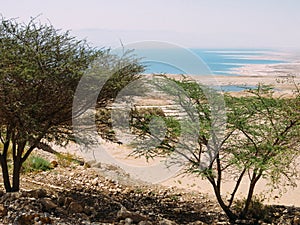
column 81, row 194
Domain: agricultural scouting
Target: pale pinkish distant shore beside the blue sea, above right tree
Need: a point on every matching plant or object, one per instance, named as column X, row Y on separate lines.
column 278, row 75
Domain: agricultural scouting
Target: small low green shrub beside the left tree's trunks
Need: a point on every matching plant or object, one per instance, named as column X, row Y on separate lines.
column 36, row 164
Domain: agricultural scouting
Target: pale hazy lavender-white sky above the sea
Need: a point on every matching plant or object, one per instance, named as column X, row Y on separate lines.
column 189, row 23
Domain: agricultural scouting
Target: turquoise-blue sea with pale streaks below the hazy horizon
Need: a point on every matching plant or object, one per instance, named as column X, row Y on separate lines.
column 216, row 61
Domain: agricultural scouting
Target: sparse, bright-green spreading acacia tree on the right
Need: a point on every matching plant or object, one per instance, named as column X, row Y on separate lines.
column 261, row 140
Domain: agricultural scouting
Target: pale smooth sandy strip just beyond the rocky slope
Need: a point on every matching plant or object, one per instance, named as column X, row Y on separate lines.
column 154, row 171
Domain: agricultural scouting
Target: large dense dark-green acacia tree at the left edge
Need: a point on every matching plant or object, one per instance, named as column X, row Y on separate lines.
column 40, row 68
